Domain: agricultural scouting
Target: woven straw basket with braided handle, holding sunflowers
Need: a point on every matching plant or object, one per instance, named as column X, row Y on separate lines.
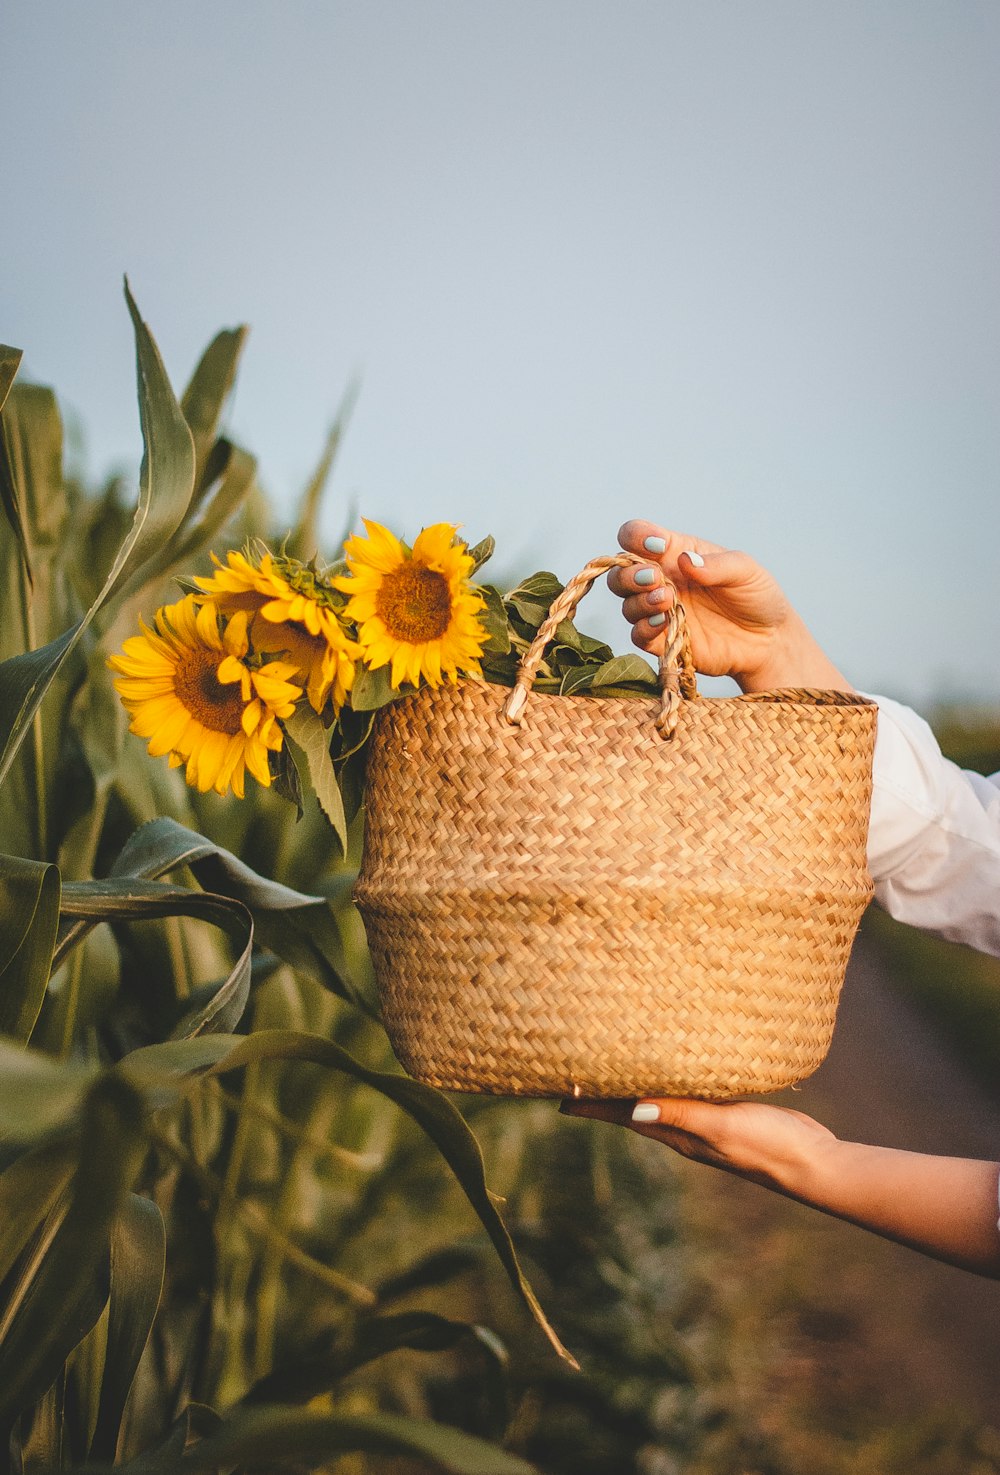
column 605, row 898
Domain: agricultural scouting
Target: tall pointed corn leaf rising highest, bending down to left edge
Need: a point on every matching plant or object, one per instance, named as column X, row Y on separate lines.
column 164, row 495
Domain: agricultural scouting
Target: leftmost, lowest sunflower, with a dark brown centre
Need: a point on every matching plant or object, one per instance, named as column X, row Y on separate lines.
column 191, row 693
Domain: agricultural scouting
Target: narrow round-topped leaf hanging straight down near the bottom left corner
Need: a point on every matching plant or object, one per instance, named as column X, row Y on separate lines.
column 138, row 1265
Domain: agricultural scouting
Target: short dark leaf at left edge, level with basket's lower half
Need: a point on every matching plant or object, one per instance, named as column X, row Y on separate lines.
column 29, row 921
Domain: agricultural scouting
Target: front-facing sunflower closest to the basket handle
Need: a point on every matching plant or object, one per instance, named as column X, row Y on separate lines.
column 415, row 610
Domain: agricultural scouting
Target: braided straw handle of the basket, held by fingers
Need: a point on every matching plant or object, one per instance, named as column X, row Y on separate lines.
column 676, row 664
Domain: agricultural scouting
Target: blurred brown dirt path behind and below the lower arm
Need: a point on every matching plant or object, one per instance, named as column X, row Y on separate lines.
column 869, row 1325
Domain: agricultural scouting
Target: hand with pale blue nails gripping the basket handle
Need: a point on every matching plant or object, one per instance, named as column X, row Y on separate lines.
column 741, row 623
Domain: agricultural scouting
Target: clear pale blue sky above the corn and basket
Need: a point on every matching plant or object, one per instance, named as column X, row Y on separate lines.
column 726, row 265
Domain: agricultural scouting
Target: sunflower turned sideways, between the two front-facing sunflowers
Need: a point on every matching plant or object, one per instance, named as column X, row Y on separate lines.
column 293, row 613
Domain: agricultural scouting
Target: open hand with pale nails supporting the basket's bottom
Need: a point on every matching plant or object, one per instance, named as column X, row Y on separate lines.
column 769, row 1145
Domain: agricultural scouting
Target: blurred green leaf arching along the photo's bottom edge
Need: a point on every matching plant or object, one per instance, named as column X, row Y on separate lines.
column 272, row 1437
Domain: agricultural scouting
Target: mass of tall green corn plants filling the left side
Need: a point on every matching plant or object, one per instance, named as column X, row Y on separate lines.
column 222, row 1203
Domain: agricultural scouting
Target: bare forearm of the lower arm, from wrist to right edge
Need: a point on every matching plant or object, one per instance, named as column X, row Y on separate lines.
column 943, row 1207
